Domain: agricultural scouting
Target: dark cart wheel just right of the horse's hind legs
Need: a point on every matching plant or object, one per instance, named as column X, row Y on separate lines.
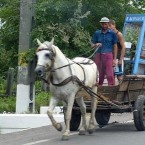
column 102, row 117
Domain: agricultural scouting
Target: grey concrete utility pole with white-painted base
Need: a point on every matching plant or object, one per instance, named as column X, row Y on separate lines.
column 25, row 99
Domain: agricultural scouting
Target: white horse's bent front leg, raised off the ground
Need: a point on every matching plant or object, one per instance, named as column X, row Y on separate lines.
column 53, row 103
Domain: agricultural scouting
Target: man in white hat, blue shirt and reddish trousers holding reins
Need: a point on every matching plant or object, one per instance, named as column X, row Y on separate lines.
column 105, row 57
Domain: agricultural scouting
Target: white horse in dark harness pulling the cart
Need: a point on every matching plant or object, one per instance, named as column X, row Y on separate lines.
column 64, row 78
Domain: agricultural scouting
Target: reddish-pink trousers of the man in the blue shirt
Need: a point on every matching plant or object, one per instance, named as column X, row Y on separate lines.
column 104, row 62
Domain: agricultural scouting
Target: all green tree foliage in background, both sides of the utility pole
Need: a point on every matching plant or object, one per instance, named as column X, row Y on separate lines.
column 71, row 23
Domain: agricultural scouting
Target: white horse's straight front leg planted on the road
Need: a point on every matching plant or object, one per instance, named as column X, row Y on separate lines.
column 70, row 103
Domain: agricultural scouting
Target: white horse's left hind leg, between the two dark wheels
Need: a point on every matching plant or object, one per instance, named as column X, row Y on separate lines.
column 82, row 105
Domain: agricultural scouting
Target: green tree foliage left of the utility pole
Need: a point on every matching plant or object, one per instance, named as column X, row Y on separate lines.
column 9, row 34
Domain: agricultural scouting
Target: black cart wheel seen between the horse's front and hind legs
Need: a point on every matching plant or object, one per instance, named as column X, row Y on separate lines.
column 75, row 120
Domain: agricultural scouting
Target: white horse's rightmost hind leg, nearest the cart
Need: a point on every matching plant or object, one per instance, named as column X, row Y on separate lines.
column 92, row 127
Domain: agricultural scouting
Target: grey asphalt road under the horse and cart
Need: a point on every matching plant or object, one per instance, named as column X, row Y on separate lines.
column 120, row 131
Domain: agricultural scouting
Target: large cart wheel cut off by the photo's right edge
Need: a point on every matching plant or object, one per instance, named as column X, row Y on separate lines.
column 139, row 113
